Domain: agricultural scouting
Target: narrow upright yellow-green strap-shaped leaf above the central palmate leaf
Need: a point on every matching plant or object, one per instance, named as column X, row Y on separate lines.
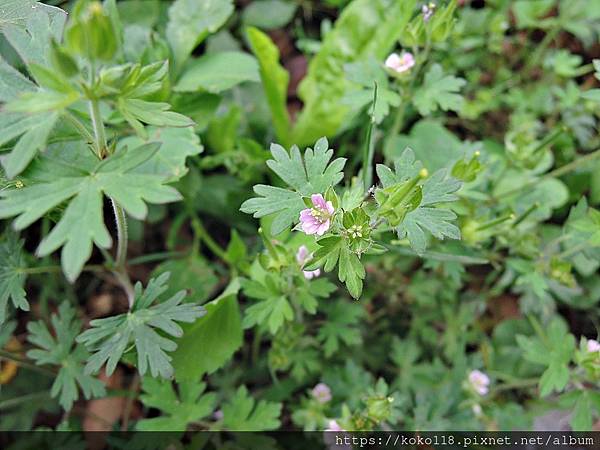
column 275, row 81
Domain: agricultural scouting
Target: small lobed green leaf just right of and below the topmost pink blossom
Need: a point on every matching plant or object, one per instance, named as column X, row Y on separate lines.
column 438, row 90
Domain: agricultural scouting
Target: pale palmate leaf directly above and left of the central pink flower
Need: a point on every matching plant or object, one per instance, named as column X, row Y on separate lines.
column 312, row 174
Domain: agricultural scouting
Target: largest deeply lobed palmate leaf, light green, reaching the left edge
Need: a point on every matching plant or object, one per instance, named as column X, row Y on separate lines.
column 82, row 223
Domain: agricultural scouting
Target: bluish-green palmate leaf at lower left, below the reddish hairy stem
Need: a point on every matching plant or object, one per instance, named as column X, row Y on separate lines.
column 109, row 338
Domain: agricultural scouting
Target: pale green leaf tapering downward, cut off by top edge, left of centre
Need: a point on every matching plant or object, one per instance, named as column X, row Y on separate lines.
column 191, row 21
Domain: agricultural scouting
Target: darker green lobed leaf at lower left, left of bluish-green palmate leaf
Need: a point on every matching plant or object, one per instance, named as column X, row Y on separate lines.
column 61, row 350
